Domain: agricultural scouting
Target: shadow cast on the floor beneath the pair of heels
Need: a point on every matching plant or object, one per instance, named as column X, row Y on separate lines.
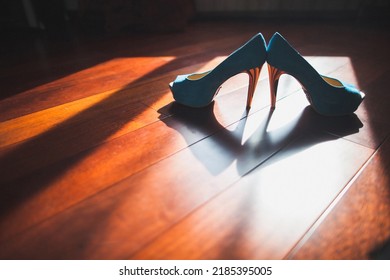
column 222, row 146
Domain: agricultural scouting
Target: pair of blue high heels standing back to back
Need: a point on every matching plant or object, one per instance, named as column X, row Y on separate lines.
column 327, row 96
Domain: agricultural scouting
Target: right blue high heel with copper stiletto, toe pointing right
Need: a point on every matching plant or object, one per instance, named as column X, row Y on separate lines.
column 328, row 96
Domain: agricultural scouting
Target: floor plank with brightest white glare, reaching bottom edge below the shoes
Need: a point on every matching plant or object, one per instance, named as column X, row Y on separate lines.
column 270, row 209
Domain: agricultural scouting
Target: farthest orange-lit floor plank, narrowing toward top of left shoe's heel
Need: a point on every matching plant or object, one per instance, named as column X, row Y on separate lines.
column 113, row 74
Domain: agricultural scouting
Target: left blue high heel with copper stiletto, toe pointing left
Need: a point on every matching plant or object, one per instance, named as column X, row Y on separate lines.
column 199, row 89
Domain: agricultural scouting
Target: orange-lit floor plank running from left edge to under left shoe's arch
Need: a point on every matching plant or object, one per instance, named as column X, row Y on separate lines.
column 184, row 130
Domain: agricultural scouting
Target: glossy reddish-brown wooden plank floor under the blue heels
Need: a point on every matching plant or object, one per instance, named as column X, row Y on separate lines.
column 98, row 162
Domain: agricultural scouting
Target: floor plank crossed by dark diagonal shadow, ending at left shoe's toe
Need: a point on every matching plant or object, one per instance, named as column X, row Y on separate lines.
column 76, row 126
